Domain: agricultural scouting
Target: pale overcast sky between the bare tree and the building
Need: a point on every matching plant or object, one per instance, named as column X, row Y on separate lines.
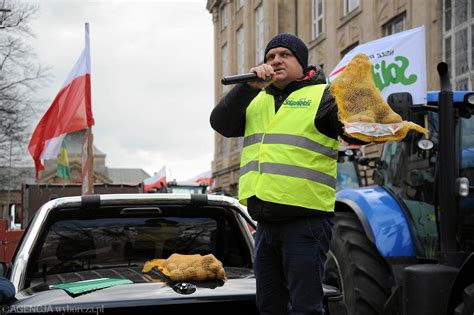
column 152, row 77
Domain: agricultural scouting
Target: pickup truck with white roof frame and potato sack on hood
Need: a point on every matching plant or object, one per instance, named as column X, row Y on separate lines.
column 86, row 254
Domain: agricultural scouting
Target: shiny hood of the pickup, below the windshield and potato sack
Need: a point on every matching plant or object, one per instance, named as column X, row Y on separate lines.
column 240, row 285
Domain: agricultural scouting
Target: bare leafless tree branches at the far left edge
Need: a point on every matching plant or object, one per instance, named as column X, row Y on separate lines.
column 21, row 76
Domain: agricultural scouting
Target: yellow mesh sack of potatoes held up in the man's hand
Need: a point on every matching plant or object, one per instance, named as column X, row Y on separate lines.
column 362, row 110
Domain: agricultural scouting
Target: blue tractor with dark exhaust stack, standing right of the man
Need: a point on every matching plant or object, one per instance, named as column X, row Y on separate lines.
column 405, row 245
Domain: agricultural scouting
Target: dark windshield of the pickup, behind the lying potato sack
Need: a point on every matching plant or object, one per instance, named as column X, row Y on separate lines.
column 77, row 241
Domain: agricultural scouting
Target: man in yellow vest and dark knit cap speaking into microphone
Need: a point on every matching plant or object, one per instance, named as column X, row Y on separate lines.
column 287, row 172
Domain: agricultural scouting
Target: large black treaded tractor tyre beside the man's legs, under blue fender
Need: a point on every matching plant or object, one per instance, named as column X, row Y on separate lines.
column 355, row 267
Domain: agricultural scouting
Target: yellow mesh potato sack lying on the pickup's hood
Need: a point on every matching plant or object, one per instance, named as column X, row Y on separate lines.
column 179, row 267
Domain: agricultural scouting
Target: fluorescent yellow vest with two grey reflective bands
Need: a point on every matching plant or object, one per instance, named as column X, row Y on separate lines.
column 285, row 159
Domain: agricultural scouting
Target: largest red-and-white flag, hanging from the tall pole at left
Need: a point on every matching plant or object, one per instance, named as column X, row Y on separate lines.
column 70, row 111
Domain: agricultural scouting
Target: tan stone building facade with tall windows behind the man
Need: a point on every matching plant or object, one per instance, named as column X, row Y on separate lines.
column 331, row 28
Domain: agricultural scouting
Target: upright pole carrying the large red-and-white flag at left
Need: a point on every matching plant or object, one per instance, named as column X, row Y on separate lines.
column 87, row 152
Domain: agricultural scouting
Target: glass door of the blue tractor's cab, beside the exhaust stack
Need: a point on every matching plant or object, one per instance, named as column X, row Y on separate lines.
column 409, row 173
